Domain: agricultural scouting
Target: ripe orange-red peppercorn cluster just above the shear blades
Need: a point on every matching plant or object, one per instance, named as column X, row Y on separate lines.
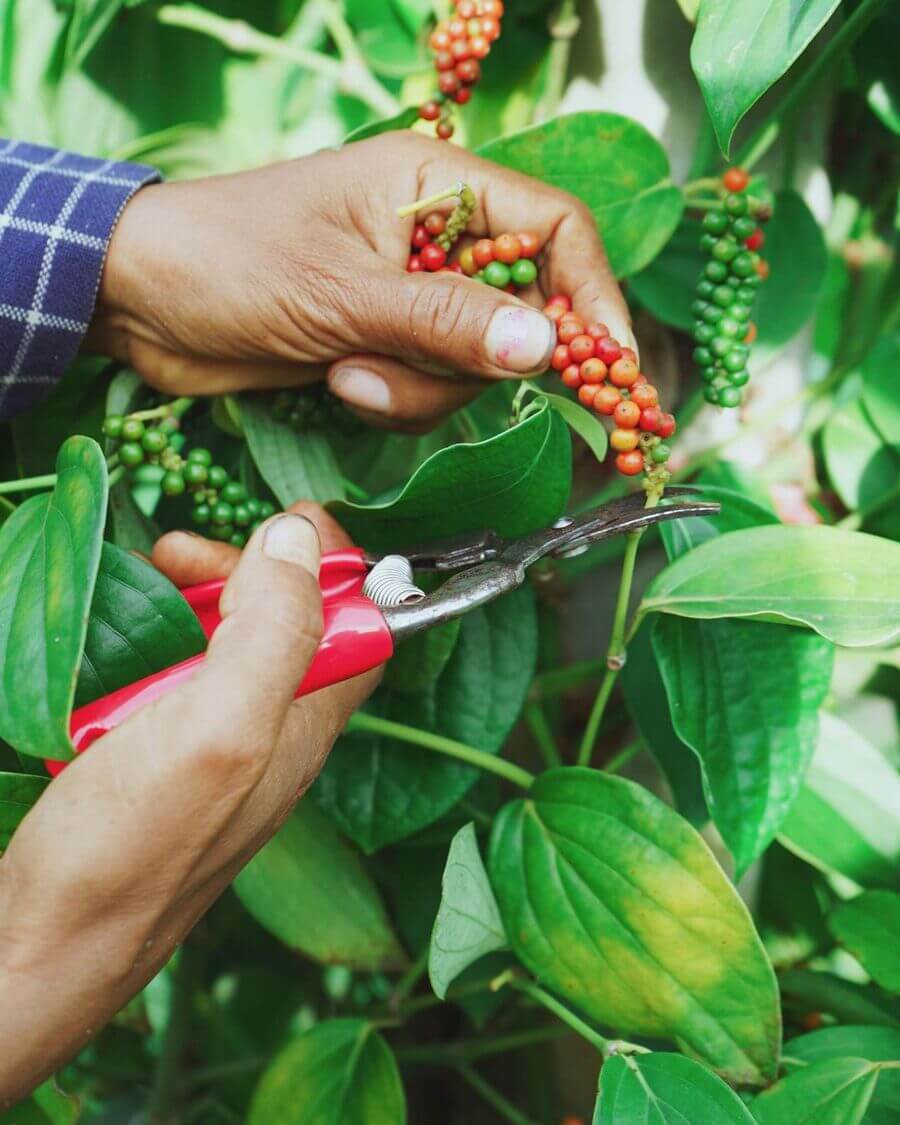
column 608, row 381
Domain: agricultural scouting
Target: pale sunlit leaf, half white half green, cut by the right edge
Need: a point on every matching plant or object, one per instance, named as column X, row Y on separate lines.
column 845, row 818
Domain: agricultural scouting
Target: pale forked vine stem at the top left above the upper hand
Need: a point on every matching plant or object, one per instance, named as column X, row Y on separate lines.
column 350, row 73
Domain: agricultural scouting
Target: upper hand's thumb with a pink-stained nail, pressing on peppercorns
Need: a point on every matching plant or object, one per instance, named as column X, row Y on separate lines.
column 447, row 322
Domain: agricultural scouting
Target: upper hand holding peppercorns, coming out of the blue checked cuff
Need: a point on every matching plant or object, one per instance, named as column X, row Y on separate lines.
column 274, row 277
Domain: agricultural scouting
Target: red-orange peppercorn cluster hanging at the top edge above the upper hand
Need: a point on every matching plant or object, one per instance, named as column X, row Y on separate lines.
column 458, row 46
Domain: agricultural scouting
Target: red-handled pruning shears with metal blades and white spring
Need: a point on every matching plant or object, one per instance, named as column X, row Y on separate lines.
column 371, row 602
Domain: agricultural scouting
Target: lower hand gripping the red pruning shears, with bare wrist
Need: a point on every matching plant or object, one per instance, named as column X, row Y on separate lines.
column 136, row 840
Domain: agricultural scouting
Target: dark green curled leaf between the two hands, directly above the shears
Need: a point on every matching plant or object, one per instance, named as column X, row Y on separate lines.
column 514, row 483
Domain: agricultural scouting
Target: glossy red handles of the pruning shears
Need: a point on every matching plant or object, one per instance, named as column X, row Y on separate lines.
column 356, row 640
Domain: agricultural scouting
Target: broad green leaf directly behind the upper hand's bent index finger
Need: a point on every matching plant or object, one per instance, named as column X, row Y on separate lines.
column 616, row 167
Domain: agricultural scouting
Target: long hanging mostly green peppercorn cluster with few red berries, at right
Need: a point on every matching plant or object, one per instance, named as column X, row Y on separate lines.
column 724, row 329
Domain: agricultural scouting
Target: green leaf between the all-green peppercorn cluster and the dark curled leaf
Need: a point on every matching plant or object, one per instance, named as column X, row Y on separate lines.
column 296, row 466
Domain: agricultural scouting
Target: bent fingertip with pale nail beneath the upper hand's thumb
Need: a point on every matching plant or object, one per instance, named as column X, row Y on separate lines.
column 393, row 397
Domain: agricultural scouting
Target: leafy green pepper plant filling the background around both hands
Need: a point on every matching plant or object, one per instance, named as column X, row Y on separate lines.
column 664, row 844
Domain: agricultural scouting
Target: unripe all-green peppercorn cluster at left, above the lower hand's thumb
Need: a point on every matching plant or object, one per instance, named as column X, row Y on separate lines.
column 222, row 506
